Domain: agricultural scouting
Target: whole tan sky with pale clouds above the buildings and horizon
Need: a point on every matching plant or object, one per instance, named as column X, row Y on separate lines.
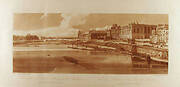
column 68, row 24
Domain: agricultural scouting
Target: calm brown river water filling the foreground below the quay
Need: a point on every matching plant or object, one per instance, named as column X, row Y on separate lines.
column 50, row 59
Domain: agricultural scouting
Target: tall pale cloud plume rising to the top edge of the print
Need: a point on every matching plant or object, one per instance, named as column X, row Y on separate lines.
column 69, row 20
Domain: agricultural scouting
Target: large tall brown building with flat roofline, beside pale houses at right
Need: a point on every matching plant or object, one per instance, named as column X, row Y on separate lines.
column 136, row 31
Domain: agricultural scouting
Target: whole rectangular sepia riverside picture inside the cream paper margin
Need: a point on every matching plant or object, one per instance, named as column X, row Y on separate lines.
column 90, row 43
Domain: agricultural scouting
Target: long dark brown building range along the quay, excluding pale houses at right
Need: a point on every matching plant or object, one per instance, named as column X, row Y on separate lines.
column 116, row 32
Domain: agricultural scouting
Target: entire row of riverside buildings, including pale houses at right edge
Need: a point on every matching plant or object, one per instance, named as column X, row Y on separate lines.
column 155, row 33
